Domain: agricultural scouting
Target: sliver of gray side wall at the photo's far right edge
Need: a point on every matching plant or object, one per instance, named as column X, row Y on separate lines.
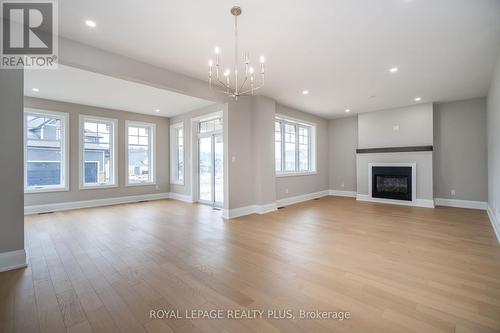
column 493, row 121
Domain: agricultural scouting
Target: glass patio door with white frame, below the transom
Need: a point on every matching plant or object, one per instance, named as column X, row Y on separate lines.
column 210, row 169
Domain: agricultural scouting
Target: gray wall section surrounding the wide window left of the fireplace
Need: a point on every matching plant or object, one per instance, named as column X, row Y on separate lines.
column 298, row 185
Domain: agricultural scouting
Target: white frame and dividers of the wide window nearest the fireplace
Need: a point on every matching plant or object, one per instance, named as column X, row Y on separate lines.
column 312, row 146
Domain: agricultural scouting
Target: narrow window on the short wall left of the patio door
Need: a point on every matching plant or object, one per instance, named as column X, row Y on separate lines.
column 177, row 154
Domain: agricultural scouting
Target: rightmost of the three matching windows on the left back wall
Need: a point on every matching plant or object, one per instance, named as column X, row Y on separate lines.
column 140, row 153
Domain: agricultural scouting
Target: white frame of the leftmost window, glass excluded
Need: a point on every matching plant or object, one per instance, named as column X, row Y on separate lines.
column 64, row 149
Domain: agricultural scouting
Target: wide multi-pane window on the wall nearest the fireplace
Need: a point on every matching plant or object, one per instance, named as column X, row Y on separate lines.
column 294, row 146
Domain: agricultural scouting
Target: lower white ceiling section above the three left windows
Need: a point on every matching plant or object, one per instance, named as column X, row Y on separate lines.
column 74, row 85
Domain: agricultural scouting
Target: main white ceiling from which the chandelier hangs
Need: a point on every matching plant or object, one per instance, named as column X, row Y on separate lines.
column 340, row 50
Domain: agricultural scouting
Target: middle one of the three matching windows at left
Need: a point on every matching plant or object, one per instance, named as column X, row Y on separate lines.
column 97, row 152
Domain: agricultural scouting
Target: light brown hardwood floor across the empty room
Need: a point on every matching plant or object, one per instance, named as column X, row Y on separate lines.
column 394, row 268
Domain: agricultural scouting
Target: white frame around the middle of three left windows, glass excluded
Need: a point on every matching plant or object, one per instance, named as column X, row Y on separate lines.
column 113, row 146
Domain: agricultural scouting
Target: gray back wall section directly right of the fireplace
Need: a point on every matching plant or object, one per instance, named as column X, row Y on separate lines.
column 460, row 150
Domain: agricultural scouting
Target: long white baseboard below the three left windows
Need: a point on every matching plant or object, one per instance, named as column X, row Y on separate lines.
column 36, row 209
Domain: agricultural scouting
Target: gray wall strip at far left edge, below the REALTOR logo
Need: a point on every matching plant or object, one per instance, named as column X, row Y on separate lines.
column 11, row 162
